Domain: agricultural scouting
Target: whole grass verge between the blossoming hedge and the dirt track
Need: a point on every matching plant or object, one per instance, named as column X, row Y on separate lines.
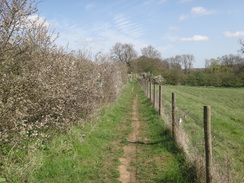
column 85, row 154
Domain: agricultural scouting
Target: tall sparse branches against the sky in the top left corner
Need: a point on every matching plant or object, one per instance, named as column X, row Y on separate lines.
column 14, row 27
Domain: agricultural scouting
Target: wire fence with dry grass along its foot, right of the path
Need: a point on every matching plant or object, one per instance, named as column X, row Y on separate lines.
column 189, row 135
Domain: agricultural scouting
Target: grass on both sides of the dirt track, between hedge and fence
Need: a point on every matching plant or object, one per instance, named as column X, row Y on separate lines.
column 91, row 152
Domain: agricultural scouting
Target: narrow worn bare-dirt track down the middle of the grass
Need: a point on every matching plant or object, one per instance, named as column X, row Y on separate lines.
column 127, row 172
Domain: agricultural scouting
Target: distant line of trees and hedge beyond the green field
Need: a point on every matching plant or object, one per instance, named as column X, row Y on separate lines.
column 227, row 71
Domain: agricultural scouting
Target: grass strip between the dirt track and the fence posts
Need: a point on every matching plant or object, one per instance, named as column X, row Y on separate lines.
column 159, row 159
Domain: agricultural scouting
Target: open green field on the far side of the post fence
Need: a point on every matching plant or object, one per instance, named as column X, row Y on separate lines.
column 227, row 106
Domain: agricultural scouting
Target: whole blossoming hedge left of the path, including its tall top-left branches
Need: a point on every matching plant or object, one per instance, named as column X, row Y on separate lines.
column 44, row 87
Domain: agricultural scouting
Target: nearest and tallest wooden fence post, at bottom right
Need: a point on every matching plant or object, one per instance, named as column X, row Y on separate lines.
column 208, row 143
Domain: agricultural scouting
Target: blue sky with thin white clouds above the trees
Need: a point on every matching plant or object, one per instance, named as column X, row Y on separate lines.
column 205, row 28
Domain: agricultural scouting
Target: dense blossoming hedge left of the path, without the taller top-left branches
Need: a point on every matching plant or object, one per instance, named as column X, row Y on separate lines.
column 55, row 92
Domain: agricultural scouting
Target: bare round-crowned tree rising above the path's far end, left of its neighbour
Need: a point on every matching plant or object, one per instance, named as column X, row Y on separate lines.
column 124, row 53
